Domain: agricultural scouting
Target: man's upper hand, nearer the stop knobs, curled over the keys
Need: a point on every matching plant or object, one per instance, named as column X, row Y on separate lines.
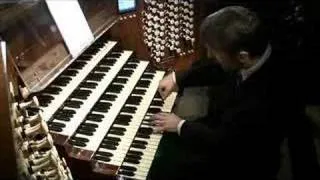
column 167, row 86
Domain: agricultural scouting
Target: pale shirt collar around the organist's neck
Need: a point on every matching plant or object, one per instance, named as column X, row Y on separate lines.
column 246, row 73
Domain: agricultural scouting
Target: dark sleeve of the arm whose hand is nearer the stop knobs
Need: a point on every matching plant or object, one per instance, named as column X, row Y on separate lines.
column 201, row 73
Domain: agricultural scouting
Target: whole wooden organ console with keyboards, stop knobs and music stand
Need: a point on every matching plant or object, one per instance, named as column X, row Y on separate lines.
column 85, row 114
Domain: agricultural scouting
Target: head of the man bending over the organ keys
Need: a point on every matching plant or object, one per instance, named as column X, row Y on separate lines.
column 235, row 36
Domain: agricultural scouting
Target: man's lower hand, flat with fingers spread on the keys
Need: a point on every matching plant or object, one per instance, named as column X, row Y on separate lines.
column 166, row 122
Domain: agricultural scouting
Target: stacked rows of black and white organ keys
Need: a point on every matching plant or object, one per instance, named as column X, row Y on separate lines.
column 99, row 109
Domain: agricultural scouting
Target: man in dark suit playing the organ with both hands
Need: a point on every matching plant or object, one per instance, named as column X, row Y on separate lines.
column 241, row 135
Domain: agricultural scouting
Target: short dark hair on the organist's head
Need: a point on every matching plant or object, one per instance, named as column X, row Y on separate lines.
column 232, row 29
